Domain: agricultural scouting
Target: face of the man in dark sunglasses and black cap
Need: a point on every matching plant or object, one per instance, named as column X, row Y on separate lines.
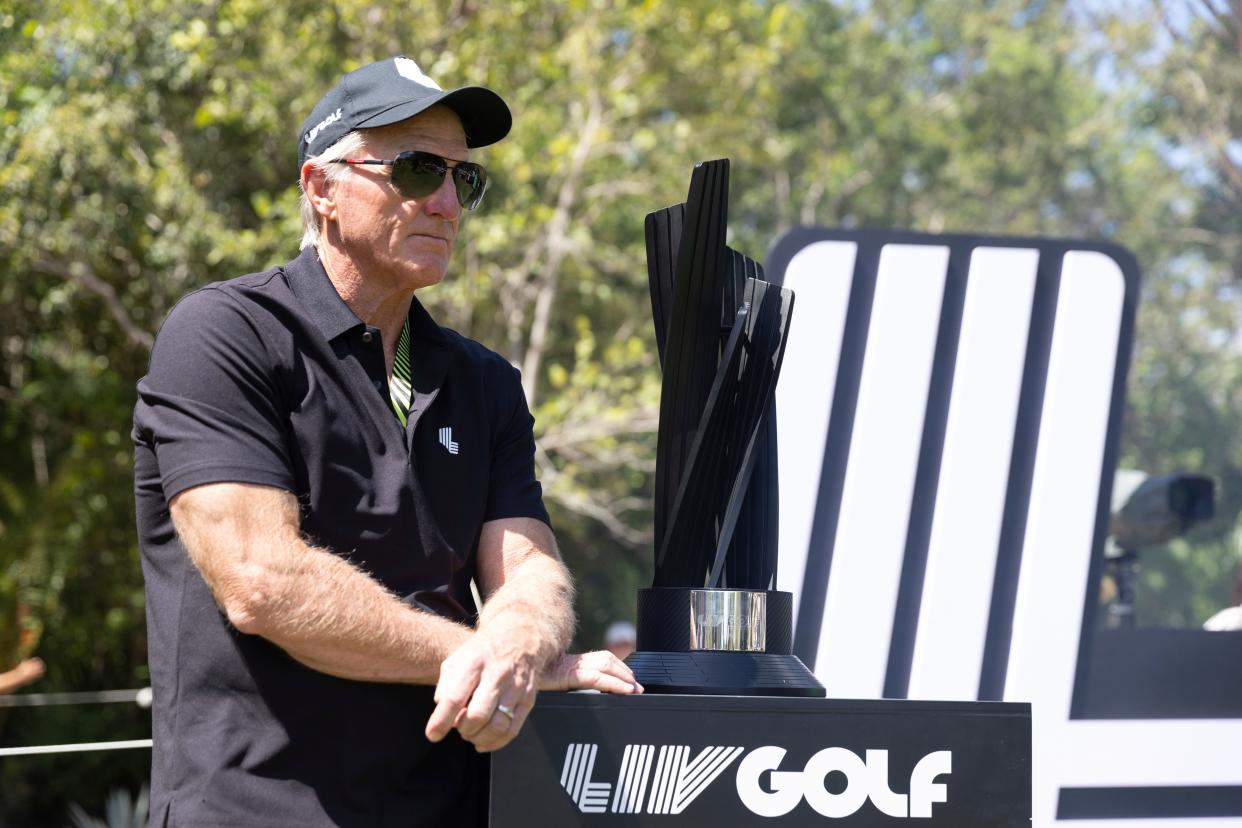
column 394, row 241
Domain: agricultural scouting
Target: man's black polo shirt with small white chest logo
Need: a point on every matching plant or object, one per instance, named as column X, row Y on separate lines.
column 271, row 379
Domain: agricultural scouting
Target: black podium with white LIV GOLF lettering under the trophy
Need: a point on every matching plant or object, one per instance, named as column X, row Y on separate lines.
column 588, row 759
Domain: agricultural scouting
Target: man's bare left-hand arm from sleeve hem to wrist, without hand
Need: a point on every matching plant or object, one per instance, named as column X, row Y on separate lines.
column 322, row 610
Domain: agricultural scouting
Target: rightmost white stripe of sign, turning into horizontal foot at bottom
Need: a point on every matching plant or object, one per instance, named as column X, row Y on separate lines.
column 1054, row 582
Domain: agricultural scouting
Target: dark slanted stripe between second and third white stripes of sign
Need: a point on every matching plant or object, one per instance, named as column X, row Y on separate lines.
column 927, row 477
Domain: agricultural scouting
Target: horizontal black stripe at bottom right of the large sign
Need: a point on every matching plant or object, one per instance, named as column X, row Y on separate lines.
column 1151, row 804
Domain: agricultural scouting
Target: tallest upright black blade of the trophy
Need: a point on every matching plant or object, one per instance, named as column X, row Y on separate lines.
column 692, row 349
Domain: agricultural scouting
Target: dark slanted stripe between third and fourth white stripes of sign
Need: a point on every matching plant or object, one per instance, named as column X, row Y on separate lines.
column 1018, row 491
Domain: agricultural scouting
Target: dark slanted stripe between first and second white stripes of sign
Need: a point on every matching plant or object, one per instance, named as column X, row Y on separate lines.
column 836, row 455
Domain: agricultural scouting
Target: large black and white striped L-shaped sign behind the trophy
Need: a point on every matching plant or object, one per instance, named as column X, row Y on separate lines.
column 950, row 430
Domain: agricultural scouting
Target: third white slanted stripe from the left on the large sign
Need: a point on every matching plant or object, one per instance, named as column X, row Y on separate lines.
column 974, row 474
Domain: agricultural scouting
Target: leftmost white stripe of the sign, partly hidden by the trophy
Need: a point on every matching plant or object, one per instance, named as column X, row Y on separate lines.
column 820, row 276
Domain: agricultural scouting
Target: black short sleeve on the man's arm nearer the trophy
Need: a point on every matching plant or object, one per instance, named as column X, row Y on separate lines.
column 514, row 491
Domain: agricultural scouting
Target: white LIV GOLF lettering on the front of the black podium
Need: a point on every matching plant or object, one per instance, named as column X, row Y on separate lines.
column 679, row 781
